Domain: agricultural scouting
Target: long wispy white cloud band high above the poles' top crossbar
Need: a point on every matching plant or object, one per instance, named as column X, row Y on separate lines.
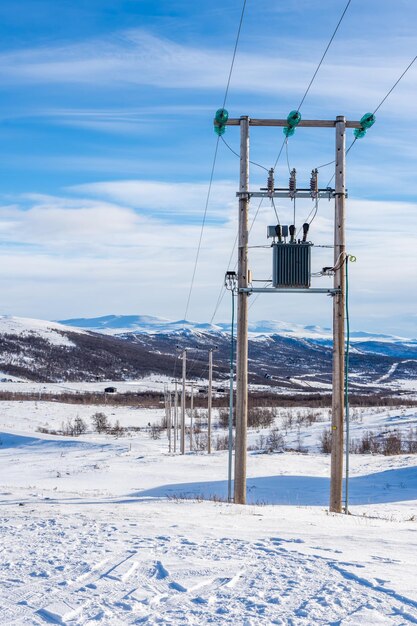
column 138, row 58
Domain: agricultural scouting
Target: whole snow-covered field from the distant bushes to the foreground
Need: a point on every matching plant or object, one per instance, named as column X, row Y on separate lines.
column 104, row 530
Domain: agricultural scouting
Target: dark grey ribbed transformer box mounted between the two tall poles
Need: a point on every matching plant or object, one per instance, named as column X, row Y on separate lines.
column 291, row 264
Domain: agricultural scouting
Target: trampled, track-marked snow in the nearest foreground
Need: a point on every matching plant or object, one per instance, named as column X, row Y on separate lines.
column 85, row 572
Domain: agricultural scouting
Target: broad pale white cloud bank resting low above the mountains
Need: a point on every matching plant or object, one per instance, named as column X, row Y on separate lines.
column 83, row 256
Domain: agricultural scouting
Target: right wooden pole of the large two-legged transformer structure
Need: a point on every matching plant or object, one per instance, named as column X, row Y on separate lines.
column 336, row 479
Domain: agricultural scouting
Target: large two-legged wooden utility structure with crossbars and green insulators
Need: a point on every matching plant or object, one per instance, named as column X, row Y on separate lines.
column 338, row 292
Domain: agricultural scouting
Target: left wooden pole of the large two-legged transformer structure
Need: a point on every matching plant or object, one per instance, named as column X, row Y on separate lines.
column 242, row 320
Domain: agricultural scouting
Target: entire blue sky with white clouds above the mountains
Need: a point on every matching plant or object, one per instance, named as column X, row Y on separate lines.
column 106, row 121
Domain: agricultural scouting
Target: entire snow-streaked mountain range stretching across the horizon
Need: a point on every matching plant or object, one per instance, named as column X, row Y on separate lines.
column 284, row 356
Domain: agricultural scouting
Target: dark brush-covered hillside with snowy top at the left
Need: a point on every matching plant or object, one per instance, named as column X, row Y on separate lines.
column 39, row 350
